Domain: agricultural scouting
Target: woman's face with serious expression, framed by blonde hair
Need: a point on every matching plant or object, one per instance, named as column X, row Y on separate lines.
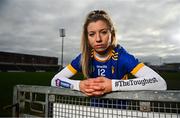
column 99, row 36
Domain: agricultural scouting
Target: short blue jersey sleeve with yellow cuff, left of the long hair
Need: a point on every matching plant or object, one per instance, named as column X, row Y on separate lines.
column 75, row 65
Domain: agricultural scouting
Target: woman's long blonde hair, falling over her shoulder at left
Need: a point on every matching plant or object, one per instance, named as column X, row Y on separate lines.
column 93, row 16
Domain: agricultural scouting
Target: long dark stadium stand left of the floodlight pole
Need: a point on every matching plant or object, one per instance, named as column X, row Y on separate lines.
column 25, row 62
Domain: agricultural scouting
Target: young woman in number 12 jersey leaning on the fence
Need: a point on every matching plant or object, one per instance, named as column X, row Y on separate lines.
column 104, row 63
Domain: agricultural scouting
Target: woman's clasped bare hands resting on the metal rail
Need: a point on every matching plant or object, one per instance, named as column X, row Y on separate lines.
column 96, row 86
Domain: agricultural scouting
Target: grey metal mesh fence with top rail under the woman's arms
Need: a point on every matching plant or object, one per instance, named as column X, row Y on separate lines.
column 43, row 101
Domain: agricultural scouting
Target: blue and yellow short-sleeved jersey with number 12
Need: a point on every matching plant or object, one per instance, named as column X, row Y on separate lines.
column 117, row 66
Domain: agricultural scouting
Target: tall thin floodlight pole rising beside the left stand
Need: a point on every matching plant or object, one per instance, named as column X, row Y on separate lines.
column 62, row 35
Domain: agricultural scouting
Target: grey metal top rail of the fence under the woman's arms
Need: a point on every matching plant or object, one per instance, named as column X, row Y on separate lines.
column 165, row 96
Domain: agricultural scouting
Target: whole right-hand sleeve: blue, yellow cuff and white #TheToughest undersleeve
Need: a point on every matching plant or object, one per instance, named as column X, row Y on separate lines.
column 146, row 78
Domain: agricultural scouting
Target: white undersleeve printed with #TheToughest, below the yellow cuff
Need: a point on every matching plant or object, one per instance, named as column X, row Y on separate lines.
column 147, row 79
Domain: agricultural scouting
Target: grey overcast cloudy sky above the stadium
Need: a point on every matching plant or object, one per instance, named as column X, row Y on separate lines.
column 148, row 29
